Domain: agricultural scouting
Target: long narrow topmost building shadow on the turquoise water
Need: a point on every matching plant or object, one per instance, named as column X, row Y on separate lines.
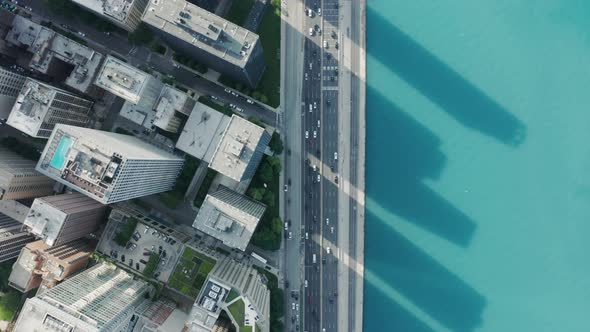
column 441, row 84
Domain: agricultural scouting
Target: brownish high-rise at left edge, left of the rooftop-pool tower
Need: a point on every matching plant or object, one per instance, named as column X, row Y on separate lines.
column 19, row 179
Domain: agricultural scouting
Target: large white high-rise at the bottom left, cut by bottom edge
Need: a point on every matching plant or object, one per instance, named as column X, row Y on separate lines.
column 102, row 298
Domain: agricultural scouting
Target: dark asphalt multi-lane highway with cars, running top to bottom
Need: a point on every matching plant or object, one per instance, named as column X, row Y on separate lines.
column 320, row 169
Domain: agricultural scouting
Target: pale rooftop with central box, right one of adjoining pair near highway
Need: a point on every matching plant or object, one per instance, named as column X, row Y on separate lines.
column 240, row 150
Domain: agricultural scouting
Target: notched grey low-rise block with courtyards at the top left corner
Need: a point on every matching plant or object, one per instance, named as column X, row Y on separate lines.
column 47, row 46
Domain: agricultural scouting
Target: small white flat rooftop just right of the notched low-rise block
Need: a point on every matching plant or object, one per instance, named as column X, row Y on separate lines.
column 122, row 79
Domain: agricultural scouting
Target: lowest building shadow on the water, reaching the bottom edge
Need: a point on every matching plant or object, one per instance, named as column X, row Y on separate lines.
column 421, row 280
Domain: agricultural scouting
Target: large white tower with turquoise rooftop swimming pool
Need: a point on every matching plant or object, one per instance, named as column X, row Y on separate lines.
column 106, row 166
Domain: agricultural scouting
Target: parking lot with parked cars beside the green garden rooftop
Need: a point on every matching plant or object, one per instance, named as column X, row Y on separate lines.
column 145, row 241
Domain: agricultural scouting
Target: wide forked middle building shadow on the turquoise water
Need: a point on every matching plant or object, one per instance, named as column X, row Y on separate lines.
column 410, row 155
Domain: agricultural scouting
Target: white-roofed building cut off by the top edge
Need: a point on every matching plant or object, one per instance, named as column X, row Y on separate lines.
column 123, row 13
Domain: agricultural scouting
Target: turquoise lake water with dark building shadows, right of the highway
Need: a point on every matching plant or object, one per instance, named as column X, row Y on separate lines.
column 478, row 166
